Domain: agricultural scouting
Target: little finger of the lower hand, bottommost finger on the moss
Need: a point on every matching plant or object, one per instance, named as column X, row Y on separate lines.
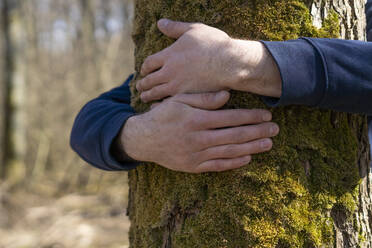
column 223, row 164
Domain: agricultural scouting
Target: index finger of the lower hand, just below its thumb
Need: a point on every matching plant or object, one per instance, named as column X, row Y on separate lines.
column 234, row 118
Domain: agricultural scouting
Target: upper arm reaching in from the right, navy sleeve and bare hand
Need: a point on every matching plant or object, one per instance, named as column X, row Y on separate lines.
column 325, row 73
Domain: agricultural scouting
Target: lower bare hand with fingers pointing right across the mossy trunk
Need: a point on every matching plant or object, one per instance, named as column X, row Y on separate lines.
column 185, row 133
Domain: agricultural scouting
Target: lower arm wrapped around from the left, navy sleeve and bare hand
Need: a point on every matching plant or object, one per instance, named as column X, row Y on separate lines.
column 184, row 133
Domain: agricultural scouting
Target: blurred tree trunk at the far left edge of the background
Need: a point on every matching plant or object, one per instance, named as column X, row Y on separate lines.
column 14, row 80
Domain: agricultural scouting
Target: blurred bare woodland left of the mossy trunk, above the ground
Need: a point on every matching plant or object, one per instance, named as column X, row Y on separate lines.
column 67, row 52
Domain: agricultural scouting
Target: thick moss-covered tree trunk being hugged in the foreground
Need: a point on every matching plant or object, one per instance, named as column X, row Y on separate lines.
column 312, row 190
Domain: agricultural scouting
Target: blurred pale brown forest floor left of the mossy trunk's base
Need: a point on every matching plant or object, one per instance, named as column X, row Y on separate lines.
column 30, row 220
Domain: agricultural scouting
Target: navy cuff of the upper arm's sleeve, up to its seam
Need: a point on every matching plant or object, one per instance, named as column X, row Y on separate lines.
column 302, row 71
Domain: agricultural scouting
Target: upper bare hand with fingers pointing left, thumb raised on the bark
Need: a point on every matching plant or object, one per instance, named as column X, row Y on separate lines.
column 206, row 59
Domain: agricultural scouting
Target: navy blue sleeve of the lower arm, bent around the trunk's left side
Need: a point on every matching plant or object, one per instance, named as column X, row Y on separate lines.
column 98, row 124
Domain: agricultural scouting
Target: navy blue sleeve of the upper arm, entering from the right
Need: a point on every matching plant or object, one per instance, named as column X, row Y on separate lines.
column 326, row 73
